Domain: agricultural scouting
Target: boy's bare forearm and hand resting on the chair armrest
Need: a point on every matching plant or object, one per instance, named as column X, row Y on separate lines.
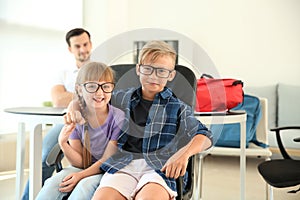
column 177, row 164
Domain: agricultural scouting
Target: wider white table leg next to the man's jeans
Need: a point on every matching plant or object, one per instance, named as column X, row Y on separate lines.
column 35, row 174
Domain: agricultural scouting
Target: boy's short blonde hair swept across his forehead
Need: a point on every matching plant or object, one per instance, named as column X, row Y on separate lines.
column 156, row 49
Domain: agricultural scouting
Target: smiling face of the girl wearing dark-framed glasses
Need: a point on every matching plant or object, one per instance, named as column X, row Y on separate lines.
column 96, row 94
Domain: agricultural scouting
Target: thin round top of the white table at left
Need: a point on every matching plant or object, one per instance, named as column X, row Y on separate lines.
column 51, row 111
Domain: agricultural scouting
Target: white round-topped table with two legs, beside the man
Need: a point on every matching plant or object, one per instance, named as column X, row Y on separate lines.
column 33, row 117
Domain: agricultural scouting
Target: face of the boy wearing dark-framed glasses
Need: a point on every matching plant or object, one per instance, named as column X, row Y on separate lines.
column 151, row 83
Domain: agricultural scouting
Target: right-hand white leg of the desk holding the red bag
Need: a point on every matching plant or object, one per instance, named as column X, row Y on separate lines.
column 243, row 160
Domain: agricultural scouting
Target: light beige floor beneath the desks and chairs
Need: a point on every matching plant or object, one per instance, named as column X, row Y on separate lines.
column 221, row 181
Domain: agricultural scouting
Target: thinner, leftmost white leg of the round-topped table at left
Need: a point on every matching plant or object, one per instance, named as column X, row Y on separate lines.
column 20, row 155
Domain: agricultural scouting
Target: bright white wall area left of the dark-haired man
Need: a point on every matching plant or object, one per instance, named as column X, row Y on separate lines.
column 32, row 51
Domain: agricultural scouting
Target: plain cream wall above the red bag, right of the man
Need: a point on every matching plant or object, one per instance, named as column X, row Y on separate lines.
column 254, row 40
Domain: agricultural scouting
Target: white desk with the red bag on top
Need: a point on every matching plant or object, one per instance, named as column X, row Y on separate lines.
column 238, row 117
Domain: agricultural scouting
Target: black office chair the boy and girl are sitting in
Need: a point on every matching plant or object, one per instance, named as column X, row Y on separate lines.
column 183, row 86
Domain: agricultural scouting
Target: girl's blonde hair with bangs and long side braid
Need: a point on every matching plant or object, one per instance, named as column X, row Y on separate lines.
column 92, row 71
